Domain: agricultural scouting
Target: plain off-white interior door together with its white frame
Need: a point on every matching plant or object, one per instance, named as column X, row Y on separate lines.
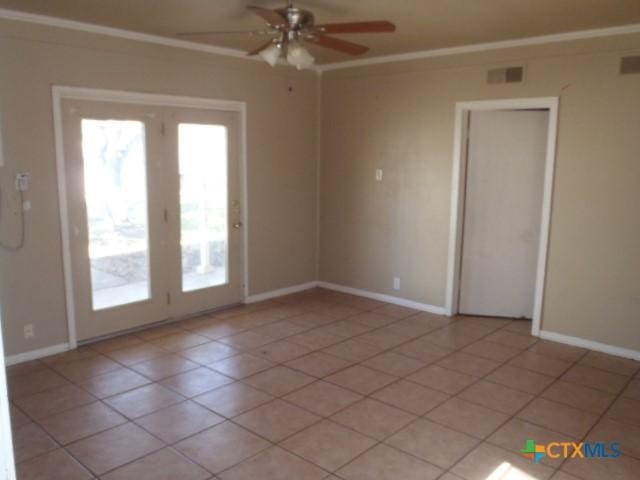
column 503, row 166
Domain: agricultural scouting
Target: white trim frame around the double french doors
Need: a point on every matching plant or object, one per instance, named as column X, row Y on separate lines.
column 59, row 93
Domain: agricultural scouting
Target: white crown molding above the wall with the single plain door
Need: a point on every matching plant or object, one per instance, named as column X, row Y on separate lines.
column 480, row 47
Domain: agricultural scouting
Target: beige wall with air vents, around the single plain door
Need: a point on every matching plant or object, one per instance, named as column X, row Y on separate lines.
column 399, row 117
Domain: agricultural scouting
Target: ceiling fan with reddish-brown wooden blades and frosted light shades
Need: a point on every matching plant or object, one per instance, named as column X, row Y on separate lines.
column 289, row 27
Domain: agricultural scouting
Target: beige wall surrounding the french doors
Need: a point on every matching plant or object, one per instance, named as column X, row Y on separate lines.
column 282, row 175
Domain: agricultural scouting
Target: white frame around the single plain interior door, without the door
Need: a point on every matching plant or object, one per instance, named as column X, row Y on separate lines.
column 458, row 188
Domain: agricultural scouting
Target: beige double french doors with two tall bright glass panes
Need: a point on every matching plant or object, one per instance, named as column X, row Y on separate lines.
column 154, row 212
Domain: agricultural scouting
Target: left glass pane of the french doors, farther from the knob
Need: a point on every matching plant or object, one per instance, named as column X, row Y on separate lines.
column 115, row 189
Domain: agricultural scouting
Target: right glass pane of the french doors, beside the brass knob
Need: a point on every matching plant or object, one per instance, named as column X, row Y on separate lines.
column 202, row 152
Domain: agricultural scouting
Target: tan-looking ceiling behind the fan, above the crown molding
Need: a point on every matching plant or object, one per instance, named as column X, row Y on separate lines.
column 421, row 24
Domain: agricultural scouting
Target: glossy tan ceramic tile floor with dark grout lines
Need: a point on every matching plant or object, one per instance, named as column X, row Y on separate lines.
column 322, row 385
